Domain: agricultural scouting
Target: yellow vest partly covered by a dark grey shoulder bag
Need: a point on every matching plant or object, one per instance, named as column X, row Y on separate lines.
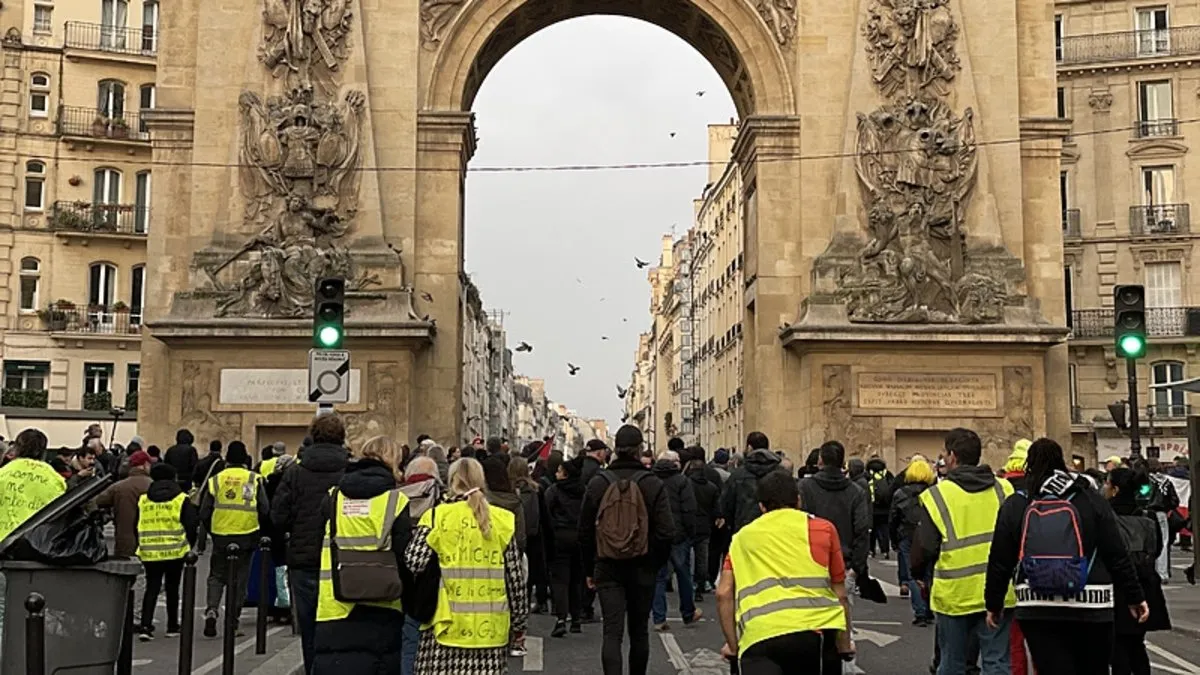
column 363, row 525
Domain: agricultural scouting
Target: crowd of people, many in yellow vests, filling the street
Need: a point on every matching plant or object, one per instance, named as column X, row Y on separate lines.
column 419, row 560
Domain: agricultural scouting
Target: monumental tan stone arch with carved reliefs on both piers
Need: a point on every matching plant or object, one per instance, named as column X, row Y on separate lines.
column 825, row 357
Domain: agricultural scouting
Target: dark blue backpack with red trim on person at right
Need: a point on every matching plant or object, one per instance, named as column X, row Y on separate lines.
column 1052, row 557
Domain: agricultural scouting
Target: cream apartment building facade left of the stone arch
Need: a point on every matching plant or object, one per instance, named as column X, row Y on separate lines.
column 77, row 178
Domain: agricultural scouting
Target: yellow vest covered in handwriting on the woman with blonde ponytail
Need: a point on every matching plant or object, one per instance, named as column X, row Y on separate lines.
column 473, row 601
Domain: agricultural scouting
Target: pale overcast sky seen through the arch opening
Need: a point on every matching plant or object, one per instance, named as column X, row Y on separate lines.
column 585, row 92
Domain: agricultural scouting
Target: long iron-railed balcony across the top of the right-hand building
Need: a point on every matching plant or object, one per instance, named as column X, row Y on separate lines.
column 1131, row 45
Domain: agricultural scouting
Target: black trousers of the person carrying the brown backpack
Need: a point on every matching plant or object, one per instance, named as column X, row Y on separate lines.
column 625, row 602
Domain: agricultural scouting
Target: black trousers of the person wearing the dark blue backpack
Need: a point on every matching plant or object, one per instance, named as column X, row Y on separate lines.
column 1063, row 648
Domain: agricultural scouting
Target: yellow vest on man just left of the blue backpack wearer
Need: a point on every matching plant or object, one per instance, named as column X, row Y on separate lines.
column 967, row 522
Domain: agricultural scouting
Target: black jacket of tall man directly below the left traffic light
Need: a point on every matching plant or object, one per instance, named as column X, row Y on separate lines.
column 296, row 510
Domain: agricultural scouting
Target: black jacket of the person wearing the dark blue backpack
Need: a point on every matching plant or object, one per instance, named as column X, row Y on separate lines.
column 1100, row 534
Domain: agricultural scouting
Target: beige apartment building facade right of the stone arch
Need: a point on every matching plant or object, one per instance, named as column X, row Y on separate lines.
column 1127, row 79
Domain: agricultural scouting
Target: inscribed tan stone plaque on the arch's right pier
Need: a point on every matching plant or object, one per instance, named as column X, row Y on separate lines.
column 926, row 391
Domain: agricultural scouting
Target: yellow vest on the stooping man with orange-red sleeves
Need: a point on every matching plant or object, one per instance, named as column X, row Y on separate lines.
column 781, row 588
